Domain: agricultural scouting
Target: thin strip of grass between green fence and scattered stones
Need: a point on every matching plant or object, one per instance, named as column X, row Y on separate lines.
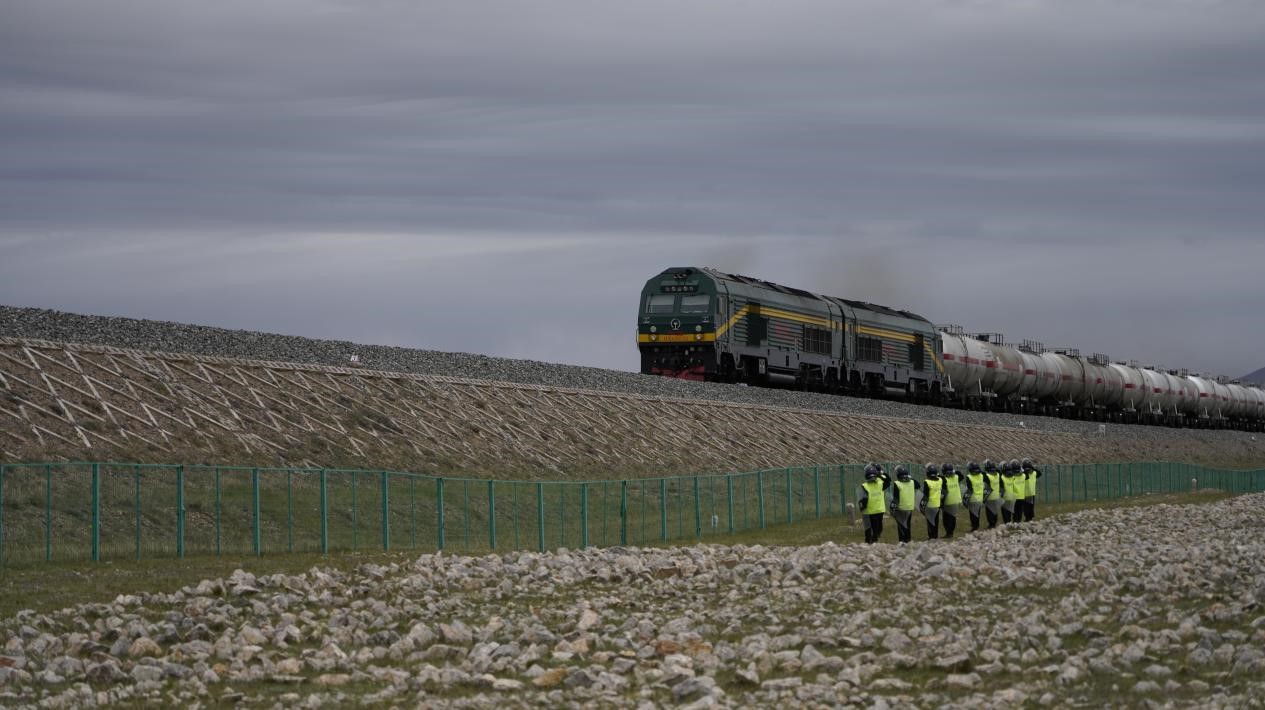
column 56, row 585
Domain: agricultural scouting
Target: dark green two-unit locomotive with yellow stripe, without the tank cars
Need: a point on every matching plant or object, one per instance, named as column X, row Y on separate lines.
column 705, row 325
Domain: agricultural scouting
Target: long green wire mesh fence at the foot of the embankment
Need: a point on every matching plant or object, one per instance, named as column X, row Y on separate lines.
column 131, row 511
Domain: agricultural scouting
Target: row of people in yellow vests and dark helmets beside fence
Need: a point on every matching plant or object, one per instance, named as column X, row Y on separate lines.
column 992, row 492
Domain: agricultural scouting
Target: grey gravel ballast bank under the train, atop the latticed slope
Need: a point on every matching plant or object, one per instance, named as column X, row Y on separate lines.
column 201, row 340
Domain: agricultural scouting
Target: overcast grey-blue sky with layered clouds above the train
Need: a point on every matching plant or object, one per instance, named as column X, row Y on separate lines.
column 503, row 177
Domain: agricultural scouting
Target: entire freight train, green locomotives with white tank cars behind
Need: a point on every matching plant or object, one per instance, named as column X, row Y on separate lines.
column 704, row 325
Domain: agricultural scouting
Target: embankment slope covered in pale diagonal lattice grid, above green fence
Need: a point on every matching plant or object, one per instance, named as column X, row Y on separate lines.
column 74, row 402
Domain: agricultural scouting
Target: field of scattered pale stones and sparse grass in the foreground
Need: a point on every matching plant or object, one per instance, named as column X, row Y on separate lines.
column 1142, row 607
